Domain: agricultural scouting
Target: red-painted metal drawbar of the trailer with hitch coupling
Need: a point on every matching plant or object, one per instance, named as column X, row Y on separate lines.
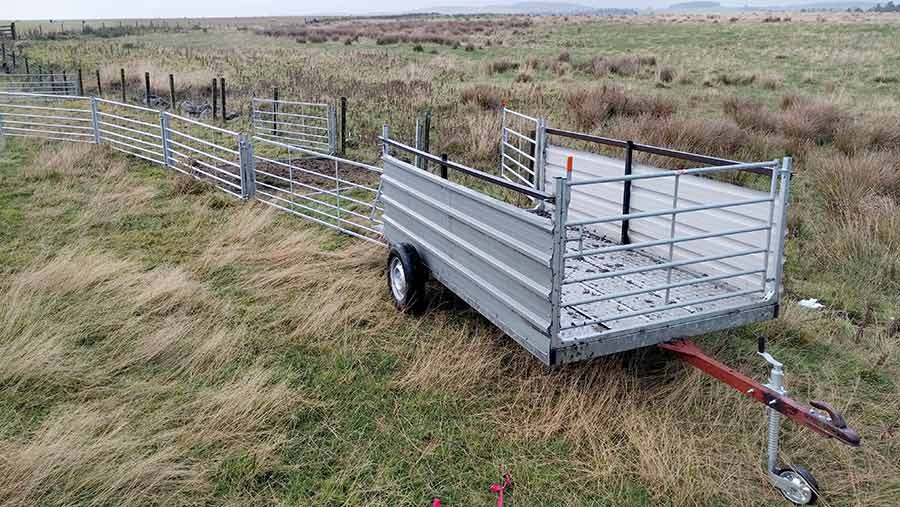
column 800, row 414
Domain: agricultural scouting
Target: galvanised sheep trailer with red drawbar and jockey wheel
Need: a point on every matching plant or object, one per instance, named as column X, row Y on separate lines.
column 607, row 256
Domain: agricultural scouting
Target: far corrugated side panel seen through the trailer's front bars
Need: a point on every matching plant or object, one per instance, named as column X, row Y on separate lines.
column 594, row 201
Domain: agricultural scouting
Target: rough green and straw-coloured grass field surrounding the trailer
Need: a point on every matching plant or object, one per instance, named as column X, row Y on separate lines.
column 163, row 344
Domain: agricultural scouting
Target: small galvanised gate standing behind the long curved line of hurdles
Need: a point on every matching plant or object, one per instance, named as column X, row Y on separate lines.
column 312, row 126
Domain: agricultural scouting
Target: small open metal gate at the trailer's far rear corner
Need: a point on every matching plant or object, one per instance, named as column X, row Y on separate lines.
column 521, row 148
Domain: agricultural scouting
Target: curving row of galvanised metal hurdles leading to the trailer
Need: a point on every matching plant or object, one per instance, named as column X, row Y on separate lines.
column 339, row 193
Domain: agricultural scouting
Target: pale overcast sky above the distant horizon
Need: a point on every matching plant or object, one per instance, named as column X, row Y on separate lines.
column 91, row 9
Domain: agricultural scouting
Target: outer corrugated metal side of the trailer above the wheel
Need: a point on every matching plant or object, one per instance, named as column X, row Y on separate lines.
column 491, row 254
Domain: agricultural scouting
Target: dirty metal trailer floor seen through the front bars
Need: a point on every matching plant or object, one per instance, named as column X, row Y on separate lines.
column 617, row 261
